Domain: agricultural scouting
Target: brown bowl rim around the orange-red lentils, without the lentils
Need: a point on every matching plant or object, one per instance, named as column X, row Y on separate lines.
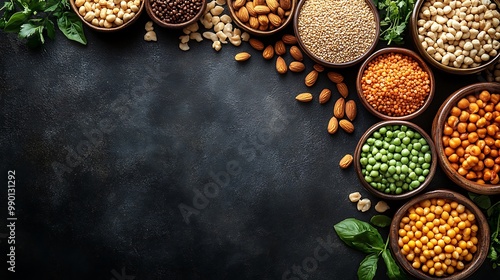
column 422, row 65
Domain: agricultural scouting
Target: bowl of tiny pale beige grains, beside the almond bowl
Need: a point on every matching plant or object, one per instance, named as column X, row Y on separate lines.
column 338, row 33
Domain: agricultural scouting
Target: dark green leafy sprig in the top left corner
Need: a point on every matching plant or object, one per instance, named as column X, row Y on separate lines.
column 32, row 20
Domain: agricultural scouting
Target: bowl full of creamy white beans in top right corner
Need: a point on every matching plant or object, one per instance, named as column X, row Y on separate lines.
column 458, row 37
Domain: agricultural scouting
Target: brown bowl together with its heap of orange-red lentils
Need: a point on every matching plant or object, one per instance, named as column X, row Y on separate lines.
column 395, row 84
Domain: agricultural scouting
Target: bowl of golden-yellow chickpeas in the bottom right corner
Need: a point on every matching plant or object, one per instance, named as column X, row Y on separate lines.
column 439, row 235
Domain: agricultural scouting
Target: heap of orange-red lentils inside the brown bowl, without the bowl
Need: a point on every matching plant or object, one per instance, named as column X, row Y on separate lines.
column 395, row 84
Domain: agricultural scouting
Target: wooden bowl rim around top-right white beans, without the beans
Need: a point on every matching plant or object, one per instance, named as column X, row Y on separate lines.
column 450, row 69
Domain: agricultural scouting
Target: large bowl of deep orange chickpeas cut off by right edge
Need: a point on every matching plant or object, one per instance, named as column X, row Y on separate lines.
column 466, row 132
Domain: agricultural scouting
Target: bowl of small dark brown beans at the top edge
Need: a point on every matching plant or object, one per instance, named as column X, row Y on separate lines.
column 175, row 14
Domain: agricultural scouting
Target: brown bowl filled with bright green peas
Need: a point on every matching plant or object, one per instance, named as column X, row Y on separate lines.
column 395, row 159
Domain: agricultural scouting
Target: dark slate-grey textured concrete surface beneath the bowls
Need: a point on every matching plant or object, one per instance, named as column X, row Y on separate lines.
column 110, row 140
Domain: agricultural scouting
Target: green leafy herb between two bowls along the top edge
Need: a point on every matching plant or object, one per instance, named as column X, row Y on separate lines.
column 394, row 17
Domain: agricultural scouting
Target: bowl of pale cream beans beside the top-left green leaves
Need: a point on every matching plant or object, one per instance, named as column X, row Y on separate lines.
column 108, row 15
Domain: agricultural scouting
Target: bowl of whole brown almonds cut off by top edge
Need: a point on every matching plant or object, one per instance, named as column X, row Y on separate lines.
column 262, row 17
